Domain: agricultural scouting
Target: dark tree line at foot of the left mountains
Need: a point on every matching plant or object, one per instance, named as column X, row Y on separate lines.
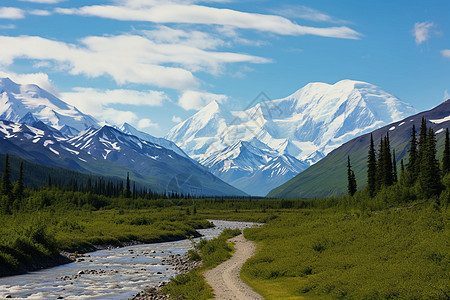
column 15, row 196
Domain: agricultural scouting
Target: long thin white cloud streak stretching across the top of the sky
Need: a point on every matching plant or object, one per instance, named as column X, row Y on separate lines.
column 196, row 14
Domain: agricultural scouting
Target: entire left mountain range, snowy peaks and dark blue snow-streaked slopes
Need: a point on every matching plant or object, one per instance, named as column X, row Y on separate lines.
column 40, row 128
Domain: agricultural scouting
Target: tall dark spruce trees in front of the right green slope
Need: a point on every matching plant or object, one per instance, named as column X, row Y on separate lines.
column 423, row 172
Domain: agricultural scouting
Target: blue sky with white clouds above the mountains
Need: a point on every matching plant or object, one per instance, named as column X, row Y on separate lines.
column 153, row 63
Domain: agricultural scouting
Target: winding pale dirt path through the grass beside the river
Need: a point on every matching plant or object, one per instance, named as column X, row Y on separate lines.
column 224, row 278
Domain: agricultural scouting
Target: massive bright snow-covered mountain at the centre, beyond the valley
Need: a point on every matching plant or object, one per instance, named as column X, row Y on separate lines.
column 301, row 128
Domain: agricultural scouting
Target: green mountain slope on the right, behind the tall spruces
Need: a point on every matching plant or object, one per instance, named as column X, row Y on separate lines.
column 328, row 178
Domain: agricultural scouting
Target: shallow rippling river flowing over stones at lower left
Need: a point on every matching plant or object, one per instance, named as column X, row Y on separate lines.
column 118, row 273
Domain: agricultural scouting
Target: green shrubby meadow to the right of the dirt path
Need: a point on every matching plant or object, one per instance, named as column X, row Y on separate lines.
column 391, row 254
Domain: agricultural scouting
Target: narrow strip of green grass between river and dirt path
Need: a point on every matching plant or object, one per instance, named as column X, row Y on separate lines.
column 193, row 285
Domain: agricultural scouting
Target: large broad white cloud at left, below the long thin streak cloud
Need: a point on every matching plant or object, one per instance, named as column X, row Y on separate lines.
column 126, row 58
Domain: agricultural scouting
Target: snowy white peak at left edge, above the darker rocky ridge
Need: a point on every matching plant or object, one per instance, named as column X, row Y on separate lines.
column 29, row 103
